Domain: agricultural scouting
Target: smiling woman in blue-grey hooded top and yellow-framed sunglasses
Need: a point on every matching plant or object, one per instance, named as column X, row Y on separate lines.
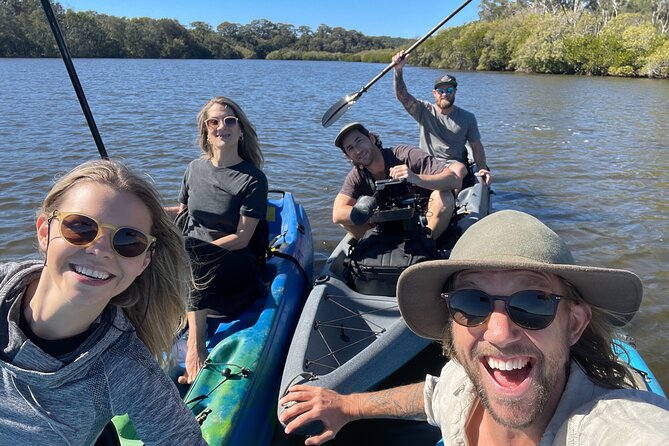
column 80, row 331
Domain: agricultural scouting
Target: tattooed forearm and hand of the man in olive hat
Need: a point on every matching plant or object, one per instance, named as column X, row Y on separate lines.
column 335, row 410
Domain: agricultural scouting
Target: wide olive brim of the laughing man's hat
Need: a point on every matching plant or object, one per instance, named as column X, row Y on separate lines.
column 420, row 286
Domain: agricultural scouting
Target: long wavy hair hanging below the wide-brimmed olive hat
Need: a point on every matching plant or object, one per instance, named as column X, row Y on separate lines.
column 593, row 352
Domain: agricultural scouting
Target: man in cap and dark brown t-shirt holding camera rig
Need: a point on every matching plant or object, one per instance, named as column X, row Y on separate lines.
column 371, row 162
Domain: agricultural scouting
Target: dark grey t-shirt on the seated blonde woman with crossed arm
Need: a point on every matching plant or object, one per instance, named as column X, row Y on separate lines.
column 217, row 196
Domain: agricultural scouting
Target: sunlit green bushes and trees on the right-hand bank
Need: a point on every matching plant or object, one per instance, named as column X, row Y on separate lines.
column 589, row 37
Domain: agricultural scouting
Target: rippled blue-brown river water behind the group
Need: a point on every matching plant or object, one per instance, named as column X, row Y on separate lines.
column 586, row 155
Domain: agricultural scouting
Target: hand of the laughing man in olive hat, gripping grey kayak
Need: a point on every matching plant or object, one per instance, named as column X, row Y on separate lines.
column 306, row 404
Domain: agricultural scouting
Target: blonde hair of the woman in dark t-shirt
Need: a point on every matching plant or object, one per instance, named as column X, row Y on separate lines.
column 247, row 148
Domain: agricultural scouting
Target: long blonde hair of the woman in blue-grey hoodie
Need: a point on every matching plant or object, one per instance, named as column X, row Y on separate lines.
column 155, row 303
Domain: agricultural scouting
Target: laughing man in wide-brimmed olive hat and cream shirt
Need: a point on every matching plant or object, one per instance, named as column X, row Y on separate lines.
column 529, row 337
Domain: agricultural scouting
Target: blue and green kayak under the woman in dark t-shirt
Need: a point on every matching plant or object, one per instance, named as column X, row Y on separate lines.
column 234, row 396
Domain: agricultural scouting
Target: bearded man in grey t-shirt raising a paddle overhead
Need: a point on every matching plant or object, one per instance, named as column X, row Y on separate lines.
column 444, row 128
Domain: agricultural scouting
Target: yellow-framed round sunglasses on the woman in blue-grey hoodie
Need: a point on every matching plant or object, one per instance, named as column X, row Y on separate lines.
column 82, row 231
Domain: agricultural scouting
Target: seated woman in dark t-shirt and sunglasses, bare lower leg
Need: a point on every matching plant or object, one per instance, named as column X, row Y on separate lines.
column 224, row 199
